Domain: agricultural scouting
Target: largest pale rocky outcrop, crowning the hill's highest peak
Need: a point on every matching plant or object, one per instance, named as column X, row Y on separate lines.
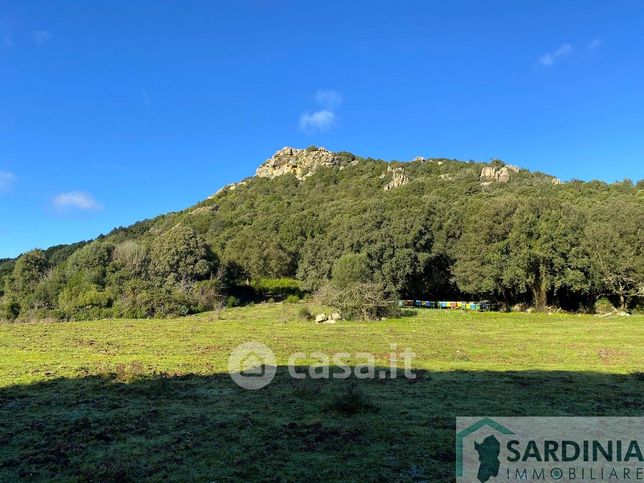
column 299, row 162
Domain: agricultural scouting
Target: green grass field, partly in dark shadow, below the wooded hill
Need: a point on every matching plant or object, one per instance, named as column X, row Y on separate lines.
column 121, row 400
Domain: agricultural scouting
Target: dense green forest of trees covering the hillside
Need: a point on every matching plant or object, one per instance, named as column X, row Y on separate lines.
column 443, row 235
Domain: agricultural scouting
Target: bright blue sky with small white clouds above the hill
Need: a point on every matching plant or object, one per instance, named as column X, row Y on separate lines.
column 115, row 111
